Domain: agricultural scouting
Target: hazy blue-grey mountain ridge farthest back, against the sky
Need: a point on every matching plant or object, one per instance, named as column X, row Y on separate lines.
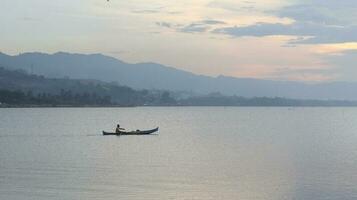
column 156, row 76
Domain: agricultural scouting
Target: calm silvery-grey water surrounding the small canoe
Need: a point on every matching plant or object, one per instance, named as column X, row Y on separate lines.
column 199, row 153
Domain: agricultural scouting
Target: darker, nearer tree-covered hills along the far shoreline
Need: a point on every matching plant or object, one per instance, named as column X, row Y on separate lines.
column 19, row 89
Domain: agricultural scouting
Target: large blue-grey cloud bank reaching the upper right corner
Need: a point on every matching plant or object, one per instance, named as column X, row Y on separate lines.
column 315, row 22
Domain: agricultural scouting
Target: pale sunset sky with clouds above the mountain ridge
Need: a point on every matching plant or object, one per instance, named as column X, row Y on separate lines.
column 303, row 40
